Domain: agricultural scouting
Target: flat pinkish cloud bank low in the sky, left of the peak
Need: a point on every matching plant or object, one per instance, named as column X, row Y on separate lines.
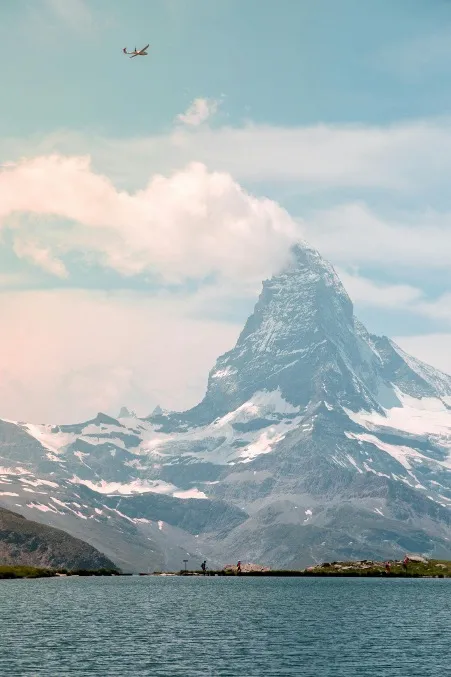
column 68, row 354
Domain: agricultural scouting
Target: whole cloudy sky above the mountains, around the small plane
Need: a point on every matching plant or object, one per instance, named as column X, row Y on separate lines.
column 143, row 201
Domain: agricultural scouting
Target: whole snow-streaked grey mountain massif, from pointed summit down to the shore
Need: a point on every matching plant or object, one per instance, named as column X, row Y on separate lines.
column 315, row 440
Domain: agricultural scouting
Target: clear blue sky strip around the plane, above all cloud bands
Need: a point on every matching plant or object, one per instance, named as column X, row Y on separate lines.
column 296, row 63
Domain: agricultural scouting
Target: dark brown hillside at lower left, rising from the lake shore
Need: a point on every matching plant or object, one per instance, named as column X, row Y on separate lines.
column 24, row 542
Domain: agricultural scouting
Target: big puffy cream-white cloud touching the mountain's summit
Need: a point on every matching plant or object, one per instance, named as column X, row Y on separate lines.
column 191, row 225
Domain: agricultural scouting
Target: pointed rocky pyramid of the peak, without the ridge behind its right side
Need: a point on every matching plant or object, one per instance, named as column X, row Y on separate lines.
column 300, row 338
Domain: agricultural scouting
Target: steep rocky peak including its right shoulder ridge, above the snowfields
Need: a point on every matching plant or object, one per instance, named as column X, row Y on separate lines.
column 304, row 340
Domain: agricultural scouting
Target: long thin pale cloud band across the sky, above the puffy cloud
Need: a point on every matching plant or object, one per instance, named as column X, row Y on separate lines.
column 407, row 158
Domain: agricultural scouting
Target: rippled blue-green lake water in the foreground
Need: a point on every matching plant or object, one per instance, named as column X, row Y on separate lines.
column 225, row 627
